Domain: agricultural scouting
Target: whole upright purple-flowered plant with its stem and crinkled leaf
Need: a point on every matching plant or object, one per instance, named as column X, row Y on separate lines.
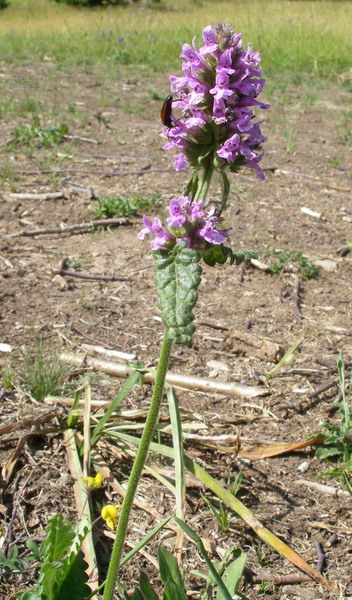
column 216, row 130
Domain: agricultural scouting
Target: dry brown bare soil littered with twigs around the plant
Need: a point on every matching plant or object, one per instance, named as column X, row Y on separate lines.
column 307, row 164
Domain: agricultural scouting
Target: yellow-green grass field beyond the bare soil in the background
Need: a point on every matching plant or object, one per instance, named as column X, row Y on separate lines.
column 312, row 39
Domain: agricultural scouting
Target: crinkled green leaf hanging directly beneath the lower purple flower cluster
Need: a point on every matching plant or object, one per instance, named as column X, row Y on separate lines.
column 177, row 277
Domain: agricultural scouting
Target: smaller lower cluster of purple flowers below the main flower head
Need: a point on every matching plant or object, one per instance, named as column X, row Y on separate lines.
column 187, row 221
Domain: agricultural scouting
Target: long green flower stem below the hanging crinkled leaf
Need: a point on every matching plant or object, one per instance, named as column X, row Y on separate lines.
column 137, row 468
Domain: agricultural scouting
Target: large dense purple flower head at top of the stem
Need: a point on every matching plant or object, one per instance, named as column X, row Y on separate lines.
column 220, row 83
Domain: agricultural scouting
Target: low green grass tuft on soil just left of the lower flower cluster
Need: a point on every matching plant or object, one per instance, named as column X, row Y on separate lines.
column 118, row 206
